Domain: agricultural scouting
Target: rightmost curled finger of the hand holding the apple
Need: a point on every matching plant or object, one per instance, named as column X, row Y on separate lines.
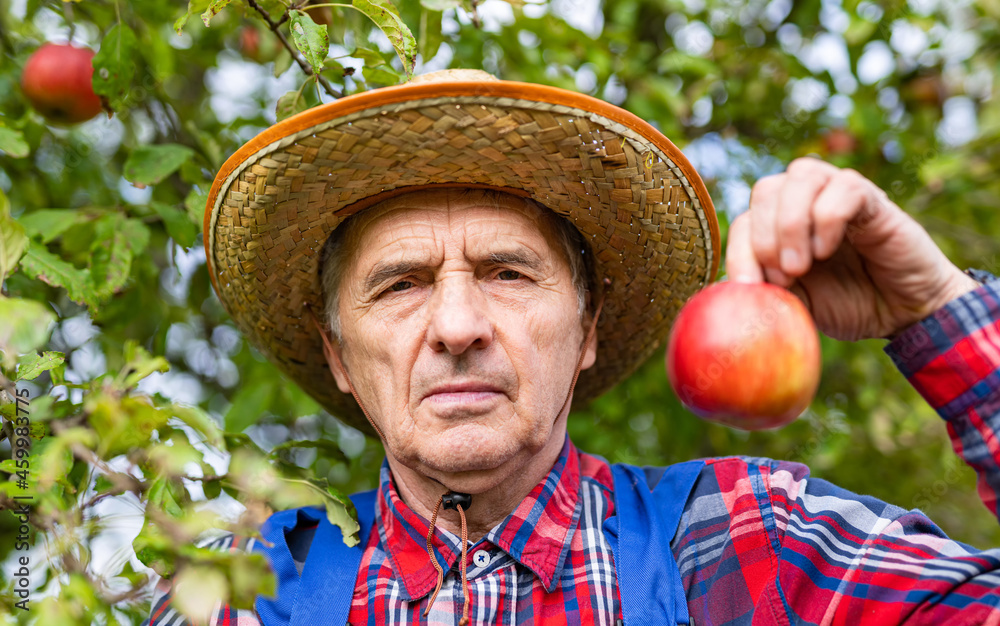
column 843, row 198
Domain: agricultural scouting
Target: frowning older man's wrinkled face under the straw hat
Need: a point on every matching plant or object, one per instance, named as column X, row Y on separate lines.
column 461, row 332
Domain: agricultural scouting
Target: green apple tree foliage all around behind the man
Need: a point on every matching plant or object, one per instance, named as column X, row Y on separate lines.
column 153, row 422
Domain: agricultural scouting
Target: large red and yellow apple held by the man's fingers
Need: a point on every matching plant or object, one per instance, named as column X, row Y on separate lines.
column 745, row 355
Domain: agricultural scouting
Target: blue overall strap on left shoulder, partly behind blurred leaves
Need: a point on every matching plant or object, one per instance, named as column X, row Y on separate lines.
column 323, row 594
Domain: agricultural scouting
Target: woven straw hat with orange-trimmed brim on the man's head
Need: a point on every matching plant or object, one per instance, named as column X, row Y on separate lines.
column 626, row 187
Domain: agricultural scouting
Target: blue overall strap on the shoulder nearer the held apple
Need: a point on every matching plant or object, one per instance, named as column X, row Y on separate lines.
column 639, row 534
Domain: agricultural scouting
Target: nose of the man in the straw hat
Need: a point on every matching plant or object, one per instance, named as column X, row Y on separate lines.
column 459, row 320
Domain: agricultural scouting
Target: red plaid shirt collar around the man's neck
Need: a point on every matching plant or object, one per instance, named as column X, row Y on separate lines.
column 537, row 534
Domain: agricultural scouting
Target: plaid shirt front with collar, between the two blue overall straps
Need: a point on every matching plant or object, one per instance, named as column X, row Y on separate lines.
column 548, row 561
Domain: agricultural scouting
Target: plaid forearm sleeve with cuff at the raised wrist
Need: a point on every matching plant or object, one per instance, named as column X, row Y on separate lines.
column 953, row 359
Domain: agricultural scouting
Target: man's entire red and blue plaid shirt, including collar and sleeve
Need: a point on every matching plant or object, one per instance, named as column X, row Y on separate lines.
column 760, row 541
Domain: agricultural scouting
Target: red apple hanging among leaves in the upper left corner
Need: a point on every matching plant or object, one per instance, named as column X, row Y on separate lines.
column 56, row 80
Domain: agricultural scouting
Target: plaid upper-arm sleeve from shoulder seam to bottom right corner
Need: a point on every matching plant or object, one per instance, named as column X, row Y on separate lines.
column 844, row 558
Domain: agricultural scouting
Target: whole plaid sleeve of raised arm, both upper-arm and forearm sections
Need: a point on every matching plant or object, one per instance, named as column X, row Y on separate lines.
column 846, row 558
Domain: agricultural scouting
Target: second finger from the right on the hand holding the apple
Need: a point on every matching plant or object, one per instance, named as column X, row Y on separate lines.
column 805, row 180
